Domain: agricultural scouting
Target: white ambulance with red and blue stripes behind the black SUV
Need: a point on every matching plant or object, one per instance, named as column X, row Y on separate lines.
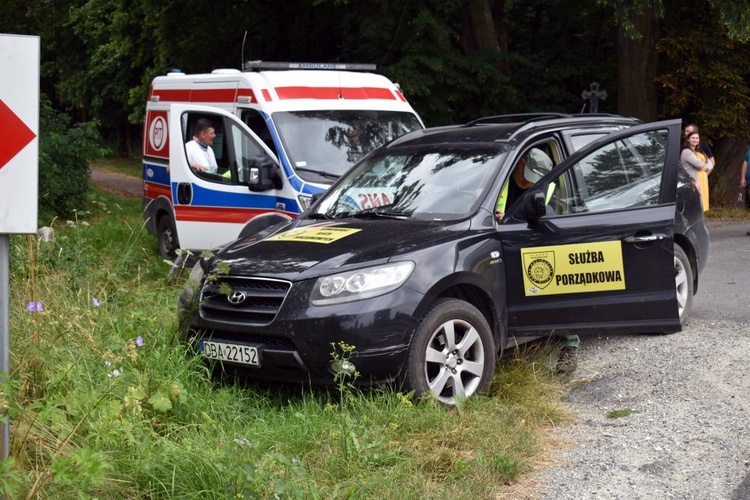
column 284, row 132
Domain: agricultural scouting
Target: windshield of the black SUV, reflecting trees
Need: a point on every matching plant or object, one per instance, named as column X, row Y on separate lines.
column 427, row 184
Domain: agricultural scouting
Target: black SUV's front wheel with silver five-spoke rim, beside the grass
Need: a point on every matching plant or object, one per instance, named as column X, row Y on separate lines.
column 452, row 354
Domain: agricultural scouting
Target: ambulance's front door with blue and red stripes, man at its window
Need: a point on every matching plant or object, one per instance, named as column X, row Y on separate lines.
column 212, row 208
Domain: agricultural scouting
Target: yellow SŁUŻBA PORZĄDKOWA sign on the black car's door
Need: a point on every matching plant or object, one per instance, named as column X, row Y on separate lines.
column 579, row 268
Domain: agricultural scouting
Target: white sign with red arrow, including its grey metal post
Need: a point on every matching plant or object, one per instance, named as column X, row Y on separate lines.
column 19, row 172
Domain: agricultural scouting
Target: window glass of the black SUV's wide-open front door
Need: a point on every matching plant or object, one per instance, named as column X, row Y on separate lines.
column 622, row 174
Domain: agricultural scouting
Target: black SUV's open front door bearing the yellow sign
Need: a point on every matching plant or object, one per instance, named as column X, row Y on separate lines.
column 598, row 250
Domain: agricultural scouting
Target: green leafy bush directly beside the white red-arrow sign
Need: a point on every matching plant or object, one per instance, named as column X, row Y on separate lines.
column 63, row 167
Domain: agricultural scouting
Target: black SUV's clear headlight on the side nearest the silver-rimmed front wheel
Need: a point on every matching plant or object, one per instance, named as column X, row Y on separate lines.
column 360, row 284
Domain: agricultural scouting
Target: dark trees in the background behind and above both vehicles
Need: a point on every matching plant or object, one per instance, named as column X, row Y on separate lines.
column 98, row 57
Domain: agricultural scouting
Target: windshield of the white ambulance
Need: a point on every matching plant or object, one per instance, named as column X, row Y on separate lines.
column 330, row 142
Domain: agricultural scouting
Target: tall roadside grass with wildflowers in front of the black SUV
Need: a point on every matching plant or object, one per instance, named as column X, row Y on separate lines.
column 104, row 402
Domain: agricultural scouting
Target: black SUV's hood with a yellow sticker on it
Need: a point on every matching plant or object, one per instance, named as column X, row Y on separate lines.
column 304, row 249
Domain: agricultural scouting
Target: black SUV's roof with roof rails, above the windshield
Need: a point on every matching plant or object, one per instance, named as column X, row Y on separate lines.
column 506, row 128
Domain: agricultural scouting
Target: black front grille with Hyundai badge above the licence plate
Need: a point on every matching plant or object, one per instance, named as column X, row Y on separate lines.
column 250, row 301
